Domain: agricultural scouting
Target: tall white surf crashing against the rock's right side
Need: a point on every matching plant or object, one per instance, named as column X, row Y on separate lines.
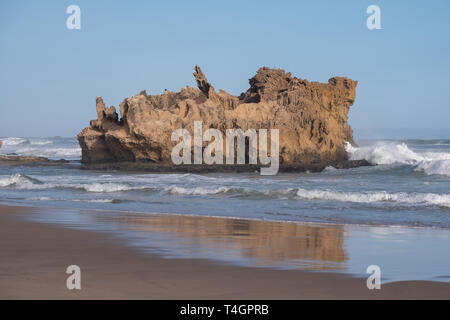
column 391, row 153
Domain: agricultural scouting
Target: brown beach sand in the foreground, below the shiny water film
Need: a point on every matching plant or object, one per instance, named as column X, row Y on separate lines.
column 34, row 257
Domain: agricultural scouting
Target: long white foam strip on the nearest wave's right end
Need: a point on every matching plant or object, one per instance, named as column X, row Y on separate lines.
column 372, row 197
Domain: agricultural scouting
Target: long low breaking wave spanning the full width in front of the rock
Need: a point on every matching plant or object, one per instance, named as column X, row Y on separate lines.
column 20, row 181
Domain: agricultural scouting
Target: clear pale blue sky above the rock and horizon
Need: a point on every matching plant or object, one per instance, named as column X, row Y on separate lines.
column 50, row 76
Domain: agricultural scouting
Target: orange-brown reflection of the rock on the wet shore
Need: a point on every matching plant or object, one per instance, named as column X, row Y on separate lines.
column 272, row 241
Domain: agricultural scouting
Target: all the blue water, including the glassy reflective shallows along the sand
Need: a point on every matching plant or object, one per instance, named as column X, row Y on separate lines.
column 395, row 214
